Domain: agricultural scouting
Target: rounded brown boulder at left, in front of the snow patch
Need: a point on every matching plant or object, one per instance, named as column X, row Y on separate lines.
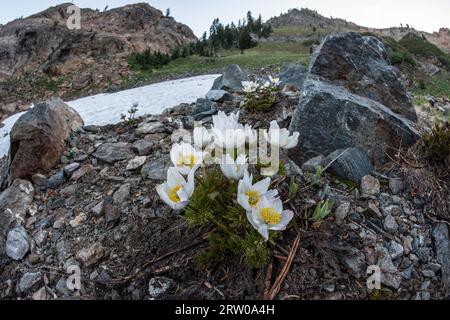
column 38, row 138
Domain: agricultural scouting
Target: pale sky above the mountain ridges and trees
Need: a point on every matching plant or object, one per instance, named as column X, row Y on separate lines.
column 425, row 15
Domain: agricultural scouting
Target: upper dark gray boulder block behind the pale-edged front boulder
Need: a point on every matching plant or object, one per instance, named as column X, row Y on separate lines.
column 361, row 65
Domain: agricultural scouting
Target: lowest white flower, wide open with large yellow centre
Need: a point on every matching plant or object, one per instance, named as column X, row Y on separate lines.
column 269, row 215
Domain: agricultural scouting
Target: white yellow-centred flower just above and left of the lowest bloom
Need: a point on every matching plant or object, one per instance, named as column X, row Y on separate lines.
column 250, row 195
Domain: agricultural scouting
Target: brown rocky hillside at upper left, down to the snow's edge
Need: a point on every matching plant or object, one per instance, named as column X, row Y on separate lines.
column 41, row 53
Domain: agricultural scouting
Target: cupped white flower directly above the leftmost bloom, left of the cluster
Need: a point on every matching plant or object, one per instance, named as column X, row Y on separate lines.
column 185, row 157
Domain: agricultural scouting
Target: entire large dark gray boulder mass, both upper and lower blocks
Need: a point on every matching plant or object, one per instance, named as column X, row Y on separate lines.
column 351, row 99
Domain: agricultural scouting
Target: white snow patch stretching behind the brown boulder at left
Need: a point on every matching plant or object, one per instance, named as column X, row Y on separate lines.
column 103, row 109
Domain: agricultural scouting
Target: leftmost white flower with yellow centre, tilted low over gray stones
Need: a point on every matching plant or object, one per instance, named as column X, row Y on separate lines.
column 176, row 191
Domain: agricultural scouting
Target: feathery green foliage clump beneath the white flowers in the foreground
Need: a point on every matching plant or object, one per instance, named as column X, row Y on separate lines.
column 233, row 235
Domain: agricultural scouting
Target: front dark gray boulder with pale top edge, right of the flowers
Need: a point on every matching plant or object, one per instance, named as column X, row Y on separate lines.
column 330, row 118
